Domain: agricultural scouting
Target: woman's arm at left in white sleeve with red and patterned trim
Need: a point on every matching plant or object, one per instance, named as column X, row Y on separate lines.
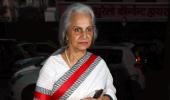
column 45, row 81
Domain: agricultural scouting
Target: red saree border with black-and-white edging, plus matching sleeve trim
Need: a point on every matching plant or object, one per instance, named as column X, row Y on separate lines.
column 65, row 86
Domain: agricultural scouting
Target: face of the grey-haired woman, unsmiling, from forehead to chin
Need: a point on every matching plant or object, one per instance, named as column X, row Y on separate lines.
column 80, row 31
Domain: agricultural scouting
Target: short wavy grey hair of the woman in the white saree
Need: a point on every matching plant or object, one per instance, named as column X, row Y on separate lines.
column 65, row 21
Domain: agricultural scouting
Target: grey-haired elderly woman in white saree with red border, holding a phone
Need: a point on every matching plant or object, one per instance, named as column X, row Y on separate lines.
column 74, row 73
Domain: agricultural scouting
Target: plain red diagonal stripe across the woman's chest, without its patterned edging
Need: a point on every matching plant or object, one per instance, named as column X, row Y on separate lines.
column 73, row 78
